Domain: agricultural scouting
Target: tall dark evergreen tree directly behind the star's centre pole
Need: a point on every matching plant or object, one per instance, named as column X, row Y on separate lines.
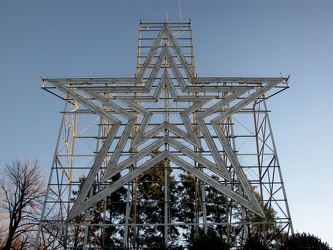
column 151, row 207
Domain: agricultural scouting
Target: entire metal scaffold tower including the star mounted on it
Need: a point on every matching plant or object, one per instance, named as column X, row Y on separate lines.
column 161, row 156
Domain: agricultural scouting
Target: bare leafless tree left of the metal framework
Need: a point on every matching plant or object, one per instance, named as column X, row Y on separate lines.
column 22, row 188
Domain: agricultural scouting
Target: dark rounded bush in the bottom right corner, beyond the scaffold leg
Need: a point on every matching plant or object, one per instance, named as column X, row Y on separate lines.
column 304, row 241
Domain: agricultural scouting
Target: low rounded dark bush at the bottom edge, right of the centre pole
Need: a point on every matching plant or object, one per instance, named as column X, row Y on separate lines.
column 209, row 241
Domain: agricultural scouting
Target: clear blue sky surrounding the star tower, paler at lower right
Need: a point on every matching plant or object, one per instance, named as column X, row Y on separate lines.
column 41, row 38
